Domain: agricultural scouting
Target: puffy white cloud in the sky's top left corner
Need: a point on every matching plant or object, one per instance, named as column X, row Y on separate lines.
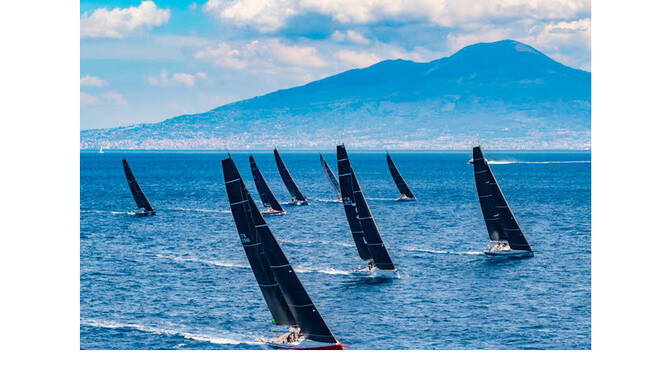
column 120, row 23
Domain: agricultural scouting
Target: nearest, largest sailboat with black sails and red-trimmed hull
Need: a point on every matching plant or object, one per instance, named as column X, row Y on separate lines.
column 285, row 296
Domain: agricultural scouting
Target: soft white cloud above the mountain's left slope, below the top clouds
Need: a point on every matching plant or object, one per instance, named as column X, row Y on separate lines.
column 261, row 55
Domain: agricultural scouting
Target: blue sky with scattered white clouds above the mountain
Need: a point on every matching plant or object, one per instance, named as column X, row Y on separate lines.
column 146, row 61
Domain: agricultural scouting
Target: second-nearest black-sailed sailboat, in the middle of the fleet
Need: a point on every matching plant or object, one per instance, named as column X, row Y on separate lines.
column 363, row 227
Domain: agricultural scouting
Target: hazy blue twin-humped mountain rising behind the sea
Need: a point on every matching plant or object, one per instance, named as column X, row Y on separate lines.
column 505, row 94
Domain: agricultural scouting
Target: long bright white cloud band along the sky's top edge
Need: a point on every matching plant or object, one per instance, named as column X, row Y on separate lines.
column 270, row 15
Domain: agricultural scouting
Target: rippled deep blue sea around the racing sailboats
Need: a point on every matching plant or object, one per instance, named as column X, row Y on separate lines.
column 180, row 279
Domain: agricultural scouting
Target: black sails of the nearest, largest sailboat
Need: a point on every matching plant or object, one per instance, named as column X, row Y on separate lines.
column 254, row 233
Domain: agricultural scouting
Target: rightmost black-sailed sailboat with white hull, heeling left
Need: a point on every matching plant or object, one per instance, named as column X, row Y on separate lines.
column 506, row 238
